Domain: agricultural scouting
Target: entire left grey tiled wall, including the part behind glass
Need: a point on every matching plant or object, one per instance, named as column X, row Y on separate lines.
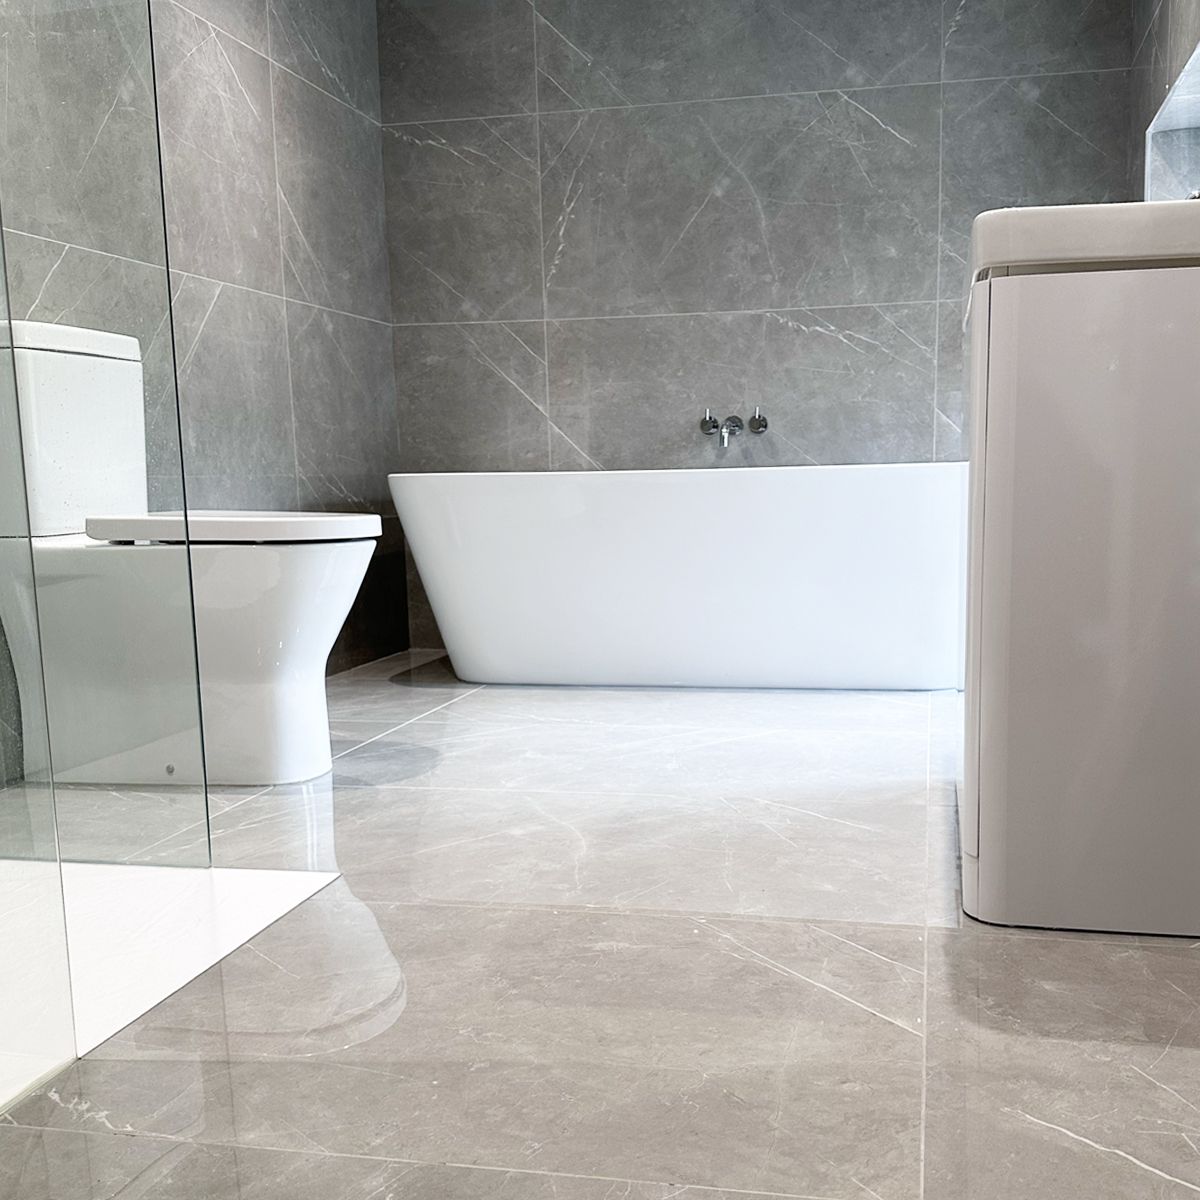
column 272, row 157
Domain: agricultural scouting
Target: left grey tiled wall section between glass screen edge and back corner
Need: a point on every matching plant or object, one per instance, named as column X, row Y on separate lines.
column 274, row 187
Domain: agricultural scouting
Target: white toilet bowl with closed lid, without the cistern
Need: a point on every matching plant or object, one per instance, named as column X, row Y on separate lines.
column 272, row 591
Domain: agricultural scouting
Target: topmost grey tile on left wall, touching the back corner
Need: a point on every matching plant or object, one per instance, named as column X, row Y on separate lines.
column 333, row 46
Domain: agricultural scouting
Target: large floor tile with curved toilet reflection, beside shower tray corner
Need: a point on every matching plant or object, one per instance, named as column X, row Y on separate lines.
column 749, row 1055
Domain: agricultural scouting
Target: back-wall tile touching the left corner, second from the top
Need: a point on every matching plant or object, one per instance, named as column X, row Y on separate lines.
column 463, row 220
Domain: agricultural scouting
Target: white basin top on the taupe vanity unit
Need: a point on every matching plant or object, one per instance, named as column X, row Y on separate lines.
column 1085, row 233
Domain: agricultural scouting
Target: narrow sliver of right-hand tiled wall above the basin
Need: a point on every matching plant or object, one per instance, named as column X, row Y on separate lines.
column 1166, row 33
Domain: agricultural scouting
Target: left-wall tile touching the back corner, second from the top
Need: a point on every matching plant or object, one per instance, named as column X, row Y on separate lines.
column 331, row 178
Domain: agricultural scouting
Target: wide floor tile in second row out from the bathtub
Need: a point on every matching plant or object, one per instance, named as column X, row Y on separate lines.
column 676, row 854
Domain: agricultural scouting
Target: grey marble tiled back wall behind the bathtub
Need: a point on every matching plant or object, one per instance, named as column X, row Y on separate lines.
column 604, row 218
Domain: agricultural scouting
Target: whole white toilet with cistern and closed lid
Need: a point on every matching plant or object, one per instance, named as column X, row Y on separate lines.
column 272, row 591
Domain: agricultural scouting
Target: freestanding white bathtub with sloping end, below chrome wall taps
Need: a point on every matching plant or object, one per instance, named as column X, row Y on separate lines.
column 757, row 578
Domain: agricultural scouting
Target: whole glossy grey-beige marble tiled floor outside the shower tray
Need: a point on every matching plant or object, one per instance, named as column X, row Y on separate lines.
column 597, row 944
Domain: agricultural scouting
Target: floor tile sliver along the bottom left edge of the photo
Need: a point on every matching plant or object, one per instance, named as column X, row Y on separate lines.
column 52, row 1165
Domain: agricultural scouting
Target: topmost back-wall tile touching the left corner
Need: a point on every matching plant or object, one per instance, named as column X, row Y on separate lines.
column 464, row 58
